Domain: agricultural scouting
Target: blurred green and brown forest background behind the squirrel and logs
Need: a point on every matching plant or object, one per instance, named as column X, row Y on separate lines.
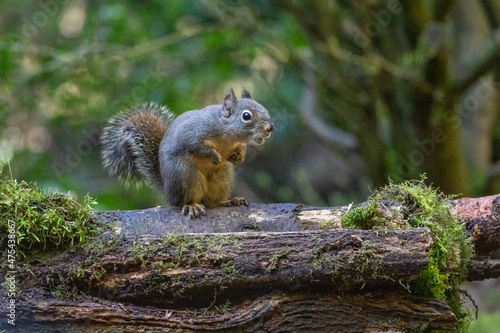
column 359, row 91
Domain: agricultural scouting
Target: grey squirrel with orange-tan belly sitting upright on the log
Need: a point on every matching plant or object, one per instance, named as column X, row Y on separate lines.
column 191, row 157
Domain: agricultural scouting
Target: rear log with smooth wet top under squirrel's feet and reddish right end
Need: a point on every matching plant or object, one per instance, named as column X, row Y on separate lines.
column 482, row 217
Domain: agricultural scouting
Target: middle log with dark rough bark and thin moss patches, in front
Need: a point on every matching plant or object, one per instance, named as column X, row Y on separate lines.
column 187, row 270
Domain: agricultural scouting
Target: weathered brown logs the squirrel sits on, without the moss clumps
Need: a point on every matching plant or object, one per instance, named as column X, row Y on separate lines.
column 256, row 269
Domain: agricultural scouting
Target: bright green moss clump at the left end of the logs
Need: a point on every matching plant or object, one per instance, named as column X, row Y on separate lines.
column 41, row 220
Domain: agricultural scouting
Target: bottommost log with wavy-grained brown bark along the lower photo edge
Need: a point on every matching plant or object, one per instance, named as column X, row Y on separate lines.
column 271, row 313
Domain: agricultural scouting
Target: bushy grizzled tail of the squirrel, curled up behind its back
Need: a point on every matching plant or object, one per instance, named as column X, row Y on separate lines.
column 131, row 142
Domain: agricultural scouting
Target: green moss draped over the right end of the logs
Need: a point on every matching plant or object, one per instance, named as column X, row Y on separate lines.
column 423, row 206
